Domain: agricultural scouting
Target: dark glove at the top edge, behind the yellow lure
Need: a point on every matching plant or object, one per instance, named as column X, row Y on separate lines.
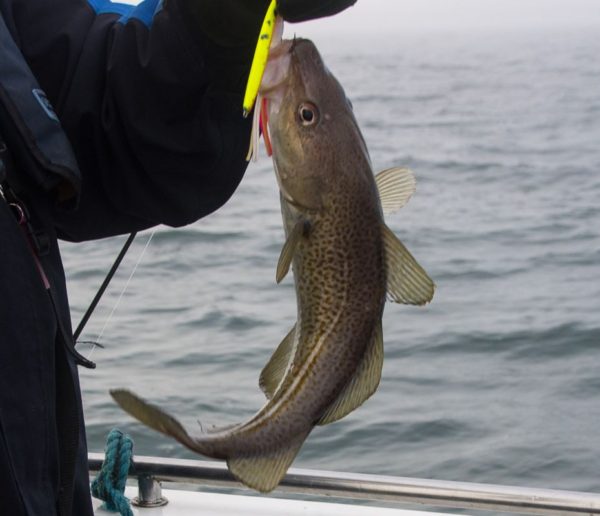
column 233, row 23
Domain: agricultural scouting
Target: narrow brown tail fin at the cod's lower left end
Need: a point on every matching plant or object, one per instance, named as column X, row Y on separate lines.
column 152, row 416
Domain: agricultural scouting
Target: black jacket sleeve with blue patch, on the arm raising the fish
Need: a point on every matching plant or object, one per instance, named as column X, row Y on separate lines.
column 152, row 109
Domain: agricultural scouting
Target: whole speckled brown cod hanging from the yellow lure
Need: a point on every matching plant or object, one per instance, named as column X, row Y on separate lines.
column 345, row 262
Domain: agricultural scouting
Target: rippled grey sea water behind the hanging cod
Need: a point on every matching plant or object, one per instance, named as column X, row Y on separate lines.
column 497, row 380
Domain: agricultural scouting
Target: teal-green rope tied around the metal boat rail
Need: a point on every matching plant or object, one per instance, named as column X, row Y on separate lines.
column 109, row 484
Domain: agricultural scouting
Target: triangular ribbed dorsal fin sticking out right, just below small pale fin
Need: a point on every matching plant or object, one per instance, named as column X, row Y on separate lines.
column 407, row 281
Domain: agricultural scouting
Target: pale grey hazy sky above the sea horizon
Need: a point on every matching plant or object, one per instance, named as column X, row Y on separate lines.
column 369, row 16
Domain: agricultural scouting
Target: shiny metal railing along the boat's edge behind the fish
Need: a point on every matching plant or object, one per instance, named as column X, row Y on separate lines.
column 435, row 493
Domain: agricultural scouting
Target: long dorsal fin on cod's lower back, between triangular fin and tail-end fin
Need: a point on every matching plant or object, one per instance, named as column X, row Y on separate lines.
column 363, row 384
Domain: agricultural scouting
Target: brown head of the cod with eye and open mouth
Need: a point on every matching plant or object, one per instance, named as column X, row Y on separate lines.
column 313, row 131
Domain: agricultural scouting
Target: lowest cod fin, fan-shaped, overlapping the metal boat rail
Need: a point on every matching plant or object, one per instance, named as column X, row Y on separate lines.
column 264, row 472
